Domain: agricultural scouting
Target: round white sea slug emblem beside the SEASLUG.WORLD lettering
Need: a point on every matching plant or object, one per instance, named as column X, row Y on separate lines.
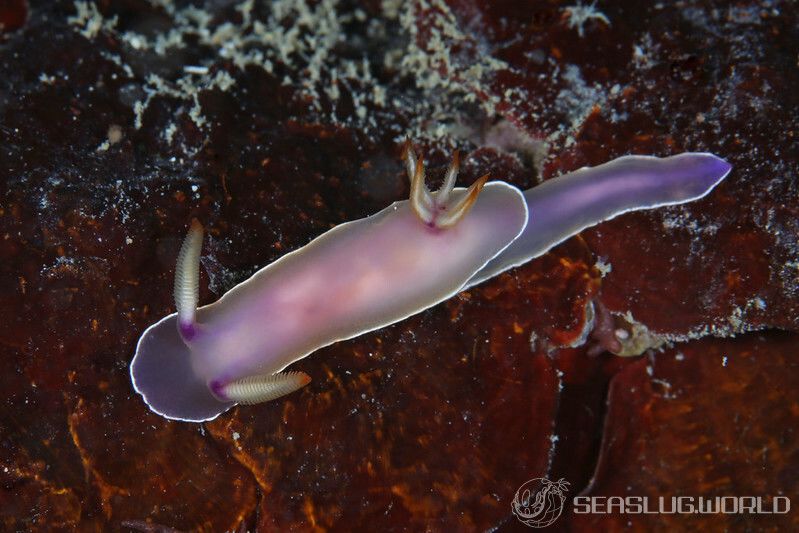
column 539, row 502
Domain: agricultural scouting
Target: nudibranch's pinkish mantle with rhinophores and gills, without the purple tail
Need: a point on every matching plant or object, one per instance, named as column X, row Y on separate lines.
column 357, row 277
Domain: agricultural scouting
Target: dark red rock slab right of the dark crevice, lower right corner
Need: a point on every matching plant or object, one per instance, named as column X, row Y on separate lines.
column 667, row 435
